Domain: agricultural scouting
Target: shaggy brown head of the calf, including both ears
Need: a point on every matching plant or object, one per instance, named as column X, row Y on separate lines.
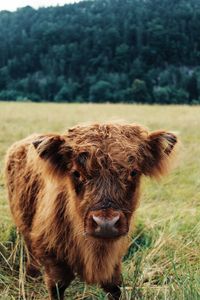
column 103, row 165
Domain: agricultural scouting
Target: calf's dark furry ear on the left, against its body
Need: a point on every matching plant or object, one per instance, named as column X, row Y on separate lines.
column 55, row 150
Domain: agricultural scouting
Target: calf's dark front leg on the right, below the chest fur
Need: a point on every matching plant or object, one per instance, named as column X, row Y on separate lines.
column 113, row 288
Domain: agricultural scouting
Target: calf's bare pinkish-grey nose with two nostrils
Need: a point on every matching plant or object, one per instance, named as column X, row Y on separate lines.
column 106, row 228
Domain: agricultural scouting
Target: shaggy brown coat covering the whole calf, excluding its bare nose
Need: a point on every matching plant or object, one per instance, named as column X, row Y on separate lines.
column 58, row 184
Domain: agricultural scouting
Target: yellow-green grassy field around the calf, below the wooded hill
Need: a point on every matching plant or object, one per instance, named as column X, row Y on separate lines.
column 163, row 261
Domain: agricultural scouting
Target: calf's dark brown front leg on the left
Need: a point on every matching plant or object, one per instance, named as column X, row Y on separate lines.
column 58, row 276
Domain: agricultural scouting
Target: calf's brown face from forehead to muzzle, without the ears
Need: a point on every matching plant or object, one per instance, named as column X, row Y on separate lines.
column 106, row 190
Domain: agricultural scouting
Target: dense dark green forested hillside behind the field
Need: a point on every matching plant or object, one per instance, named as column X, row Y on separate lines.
column 103, row 50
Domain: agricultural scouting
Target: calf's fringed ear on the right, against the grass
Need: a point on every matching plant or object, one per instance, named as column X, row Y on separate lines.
column 159, row 153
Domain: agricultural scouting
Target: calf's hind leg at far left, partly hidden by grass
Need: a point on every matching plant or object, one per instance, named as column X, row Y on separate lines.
column 32, row 265
